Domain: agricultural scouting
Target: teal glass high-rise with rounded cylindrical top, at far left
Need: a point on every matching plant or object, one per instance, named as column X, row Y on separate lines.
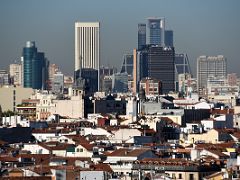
column 35, row 67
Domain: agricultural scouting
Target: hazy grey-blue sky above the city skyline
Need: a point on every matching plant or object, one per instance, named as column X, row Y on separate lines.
column 201, row 27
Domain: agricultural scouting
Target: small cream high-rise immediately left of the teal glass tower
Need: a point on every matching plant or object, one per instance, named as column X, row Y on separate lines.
column 15, row 71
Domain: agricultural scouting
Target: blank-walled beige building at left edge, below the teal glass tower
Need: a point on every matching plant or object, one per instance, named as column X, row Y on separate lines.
column 12, row 96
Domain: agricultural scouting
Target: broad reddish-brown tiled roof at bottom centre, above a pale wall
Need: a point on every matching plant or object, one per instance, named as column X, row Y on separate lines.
column 128, row 152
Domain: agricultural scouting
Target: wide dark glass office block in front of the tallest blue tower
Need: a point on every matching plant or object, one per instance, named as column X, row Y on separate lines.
column 161, row 66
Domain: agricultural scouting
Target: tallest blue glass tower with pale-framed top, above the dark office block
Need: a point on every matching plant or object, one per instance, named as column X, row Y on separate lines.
column 156, row 31
